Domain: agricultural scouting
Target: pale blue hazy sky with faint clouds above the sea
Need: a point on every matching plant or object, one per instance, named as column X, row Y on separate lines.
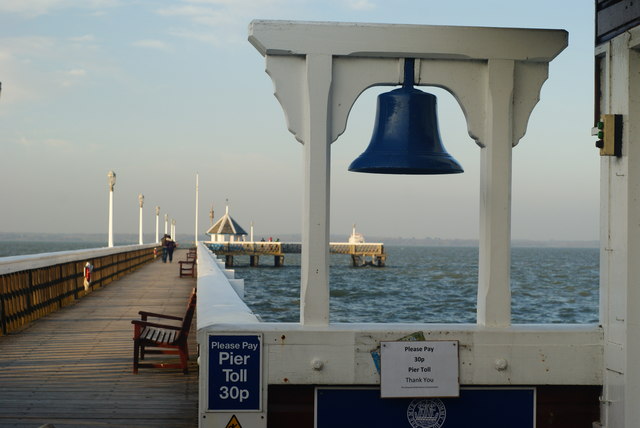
column 159, row 91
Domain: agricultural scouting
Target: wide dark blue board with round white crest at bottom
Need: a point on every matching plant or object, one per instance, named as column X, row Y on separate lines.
column 478, row 408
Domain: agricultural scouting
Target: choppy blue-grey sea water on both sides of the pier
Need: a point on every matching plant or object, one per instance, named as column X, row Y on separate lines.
column 418, row 284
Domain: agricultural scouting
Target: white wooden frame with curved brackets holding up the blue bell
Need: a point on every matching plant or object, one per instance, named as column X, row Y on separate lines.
column 319, row 70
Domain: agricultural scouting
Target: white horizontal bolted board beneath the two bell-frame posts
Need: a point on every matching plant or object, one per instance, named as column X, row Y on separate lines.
column 534, row 354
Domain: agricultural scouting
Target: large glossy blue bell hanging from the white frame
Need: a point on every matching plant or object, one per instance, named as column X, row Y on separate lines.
column 406, row 139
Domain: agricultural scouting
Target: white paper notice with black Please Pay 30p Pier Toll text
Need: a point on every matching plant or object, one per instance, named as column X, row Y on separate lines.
column 419, row 369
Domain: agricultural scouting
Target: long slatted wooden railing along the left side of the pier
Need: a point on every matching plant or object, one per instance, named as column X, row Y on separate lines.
column 33, row 286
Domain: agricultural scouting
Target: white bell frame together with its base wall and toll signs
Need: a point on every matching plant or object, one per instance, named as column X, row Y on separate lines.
column 317, row 373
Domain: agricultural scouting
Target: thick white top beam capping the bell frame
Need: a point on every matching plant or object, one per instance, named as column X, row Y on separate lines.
column 397, row 40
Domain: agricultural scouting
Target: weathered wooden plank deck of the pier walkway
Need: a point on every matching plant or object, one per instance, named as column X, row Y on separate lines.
column 73, row 368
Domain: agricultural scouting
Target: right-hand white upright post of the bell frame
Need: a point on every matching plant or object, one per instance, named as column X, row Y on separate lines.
column 494, row 266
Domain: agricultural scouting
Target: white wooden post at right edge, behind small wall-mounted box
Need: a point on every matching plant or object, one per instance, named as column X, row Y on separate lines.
column 620, row 235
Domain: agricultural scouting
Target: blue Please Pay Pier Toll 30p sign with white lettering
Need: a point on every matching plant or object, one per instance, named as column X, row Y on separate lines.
column 235, row 372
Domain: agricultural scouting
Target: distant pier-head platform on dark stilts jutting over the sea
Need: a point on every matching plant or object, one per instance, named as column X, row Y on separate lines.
column 361, row 253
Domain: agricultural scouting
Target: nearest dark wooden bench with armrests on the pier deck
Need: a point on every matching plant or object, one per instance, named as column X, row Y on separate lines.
column 156, row 338
